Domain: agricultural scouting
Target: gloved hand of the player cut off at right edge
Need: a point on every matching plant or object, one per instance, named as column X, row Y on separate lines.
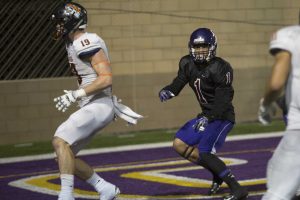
column 265, row 113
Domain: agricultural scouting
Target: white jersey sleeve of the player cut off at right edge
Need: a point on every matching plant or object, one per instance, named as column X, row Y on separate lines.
column 284, row 39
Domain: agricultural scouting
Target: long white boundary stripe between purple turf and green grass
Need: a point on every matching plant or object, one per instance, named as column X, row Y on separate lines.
column 133, row 147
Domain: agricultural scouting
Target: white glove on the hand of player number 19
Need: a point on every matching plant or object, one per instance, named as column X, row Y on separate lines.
column 63, row 102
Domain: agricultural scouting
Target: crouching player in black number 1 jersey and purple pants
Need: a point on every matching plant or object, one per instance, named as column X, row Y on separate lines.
column 198, row 140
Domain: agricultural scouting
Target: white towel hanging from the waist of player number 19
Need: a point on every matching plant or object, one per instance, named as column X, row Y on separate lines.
column 124, row 112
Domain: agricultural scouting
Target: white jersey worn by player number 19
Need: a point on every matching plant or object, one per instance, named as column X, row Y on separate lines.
column 85, row 45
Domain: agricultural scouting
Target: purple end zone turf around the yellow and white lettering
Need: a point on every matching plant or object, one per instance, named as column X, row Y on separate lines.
column 255, row 151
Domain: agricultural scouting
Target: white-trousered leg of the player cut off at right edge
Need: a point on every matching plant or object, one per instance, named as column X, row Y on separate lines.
column 284, row 165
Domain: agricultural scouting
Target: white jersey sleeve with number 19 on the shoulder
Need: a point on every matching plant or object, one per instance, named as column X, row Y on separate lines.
column 87, row 45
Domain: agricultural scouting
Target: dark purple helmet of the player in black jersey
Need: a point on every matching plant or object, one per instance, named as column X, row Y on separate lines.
column 206, row 38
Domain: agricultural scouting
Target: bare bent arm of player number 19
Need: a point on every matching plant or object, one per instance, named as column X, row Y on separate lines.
column 101, row 65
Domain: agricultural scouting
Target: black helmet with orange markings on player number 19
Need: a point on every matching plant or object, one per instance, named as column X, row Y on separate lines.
column 67, row 18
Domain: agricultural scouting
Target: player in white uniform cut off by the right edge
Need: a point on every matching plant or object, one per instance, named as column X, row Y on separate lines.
column 283, row 170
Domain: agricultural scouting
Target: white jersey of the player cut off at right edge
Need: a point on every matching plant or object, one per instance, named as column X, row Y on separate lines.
column 289, row 39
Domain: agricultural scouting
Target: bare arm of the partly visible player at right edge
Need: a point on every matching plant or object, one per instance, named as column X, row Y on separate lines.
column 278, row 78
